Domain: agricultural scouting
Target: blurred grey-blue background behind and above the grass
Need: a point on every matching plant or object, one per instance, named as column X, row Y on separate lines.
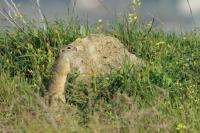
column 170, row 15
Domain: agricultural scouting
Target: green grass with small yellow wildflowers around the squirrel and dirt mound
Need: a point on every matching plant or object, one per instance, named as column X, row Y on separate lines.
column 160, row 96
